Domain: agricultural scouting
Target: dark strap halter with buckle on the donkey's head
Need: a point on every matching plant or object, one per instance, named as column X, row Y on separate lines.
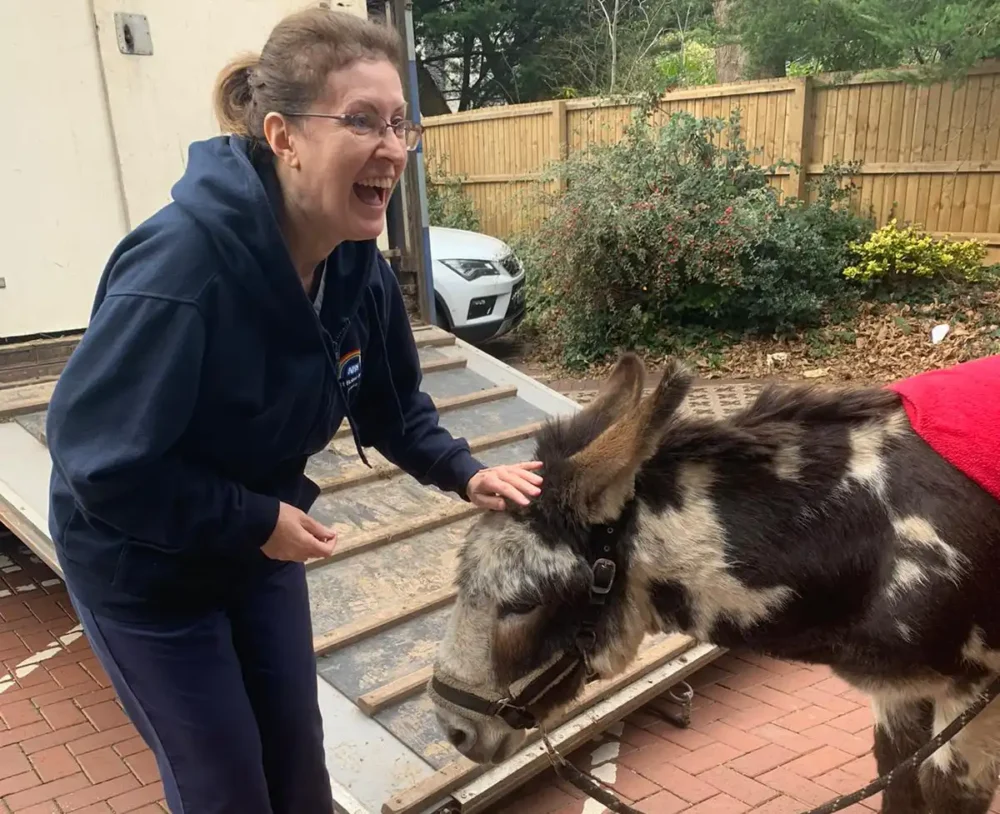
column 513, row 708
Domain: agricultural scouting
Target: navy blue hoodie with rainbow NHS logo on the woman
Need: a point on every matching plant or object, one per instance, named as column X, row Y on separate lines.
column 205, row 380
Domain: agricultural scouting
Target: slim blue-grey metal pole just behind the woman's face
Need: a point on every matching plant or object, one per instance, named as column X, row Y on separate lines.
column 417, row 196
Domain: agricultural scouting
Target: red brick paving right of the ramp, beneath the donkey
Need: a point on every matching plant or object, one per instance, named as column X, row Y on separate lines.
column 765, row 736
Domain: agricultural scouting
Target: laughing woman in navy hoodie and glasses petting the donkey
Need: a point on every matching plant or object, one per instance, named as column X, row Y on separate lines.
column 232, row 334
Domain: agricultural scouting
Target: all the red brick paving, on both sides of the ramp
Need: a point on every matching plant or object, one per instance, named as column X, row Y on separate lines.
column 765, row 736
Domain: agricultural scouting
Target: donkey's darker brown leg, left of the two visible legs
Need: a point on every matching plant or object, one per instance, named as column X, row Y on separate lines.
column 901, row 727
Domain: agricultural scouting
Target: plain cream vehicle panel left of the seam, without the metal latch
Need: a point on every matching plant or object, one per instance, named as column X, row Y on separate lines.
column 60, row 207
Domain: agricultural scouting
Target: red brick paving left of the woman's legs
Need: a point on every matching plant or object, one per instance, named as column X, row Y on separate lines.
column 65, row 743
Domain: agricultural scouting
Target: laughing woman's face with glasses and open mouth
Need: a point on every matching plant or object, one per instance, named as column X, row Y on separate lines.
column 343, row 176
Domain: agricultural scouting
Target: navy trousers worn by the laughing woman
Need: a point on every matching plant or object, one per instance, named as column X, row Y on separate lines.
column 227, row 702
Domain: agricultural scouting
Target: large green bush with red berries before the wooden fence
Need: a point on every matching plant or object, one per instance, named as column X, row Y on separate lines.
column 668, row 230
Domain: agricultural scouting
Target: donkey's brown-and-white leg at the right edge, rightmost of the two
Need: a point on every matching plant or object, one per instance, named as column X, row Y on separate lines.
column 961, row 776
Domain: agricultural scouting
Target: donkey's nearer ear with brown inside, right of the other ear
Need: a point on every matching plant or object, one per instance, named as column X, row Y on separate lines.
column 605, row 470
